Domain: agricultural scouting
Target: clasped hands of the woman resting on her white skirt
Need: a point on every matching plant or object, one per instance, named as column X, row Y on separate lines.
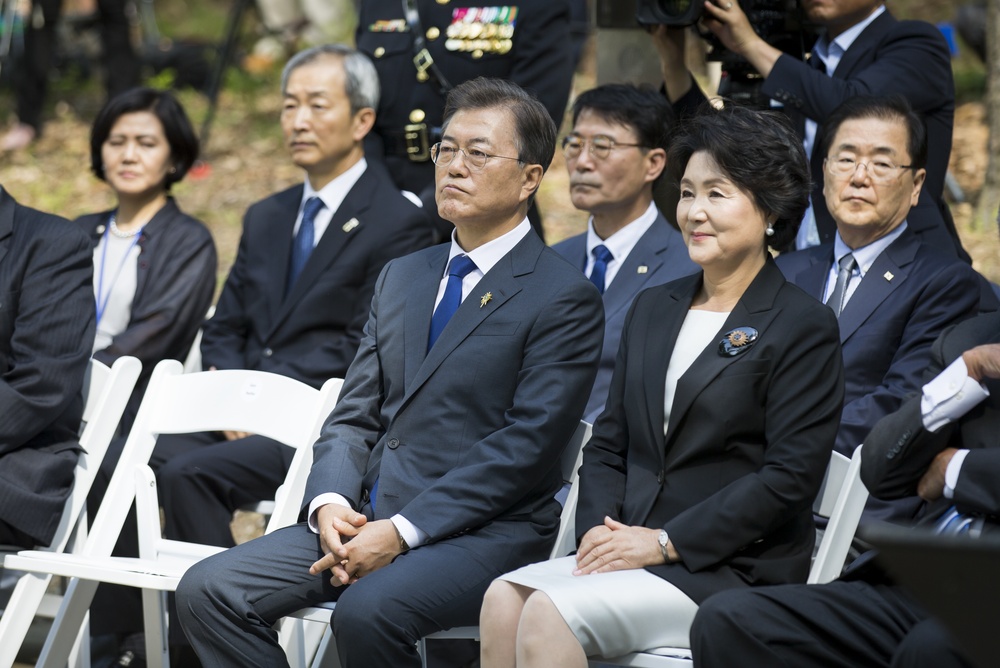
column 614, row 546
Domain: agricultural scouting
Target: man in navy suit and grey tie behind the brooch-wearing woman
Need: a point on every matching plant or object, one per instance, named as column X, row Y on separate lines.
column 893, row 293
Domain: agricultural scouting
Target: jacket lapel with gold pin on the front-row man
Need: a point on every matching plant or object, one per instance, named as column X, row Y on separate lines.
column 501, row 282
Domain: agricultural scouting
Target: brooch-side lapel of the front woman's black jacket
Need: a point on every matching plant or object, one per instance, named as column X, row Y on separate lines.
column 754, row 309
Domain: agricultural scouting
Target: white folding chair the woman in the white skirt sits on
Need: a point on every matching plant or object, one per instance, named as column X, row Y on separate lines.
column 841, row 499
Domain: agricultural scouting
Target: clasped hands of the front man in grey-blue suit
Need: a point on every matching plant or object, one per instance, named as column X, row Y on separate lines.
column 352, row 546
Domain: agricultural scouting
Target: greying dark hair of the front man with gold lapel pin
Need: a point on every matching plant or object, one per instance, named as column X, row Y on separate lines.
column 534, row 129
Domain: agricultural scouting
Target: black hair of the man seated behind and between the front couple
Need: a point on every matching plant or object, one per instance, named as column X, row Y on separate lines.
column 642, row 108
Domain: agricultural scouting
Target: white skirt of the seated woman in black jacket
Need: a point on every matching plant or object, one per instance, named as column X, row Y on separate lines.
column 615, row 613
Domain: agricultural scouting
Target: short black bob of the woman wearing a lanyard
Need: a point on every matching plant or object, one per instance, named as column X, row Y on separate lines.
column 176, row 128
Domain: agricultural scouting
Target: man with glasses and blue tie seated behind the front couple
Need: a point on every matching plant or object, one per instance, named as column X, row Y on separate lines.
column 615, row 154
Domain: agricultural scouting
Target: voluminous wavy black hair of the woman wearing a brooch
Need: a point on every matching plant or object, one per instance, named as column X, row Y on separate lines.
column 759, row 152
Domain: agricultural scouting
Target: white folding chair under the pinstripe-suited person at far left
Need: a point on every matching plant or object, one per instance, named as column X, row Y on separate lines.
column 105, row 395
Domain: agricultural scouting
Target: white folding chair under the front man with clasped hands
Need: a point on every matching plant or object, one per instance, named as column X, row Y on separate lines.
column 297, row 640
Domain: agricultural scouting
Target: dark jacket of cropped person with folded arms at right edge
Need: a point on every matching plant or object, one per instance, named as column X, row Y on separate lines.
column 899, row 449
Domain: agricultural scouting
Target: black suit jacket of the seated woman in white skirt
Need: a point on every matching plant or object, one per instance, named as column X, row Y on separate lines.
column 748, row 442
